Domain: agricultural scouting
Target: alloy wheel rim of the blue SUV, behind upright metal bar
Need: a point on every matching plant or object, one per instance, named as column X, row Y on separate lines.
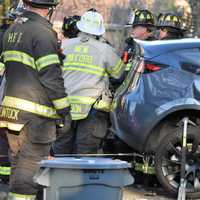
column 171, row 165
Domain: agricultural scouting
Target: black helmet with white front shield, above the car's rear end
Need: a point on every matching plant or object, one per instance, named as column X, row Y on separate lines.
column 141, row 17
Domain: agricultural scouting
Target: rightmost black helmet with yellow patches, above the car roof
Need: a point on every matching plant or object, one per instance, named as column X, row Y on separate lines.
column 170, row 21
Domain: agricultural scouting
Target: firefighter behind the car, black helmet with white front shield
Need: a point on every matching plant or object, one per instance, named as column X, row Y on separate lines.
column 142, row 23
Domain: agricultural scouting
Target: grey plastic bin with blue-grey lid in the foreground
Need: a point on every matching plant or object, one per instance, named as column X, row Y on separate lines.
column 83, row 178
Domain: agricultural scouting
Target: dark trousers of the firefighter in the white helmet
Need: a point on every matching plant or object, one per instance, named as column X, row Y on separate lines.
column 85, row 136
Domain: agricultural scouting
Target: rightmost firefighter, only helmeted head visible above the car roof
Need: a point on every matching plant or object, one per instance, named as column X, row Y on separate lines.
column 170, row 26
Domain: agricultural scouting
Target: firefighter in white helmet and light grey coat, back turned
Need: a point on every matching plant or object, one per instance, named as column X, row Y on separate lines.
column 87, row 67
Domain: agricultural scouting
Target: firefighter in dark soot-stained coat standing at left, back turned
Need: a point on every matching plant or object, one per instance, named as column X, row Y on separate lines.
column 34, row 97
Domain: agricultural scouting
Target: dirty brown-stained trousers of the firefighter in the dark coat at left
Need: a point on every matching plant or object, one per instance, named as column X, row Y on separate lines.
column 24, row 158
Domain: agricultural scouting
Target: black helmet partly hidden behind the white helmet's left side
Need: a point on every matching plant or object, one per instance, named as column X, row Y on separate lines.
column 69, row 27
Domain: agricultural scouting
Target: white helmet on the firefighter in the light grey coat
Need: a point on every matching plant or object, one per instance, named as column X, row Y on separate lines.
column 91, row 22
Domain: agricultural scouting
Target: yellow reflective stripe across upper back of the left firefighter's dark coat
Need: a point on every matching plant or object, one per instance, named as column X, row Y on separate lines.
column 18, row 56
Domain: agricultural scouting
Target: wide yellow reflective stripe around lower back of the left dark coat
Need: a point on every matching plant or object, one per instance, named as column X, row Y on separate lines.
column 29, row 106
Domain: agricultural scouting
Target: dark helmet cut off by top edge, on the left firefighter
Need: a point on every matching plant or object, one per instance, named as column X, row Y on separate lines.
column 41, row 3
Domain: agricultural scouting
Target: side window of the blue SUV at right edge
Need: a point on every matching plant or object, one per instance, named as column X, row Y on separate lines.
column 190, row 60
